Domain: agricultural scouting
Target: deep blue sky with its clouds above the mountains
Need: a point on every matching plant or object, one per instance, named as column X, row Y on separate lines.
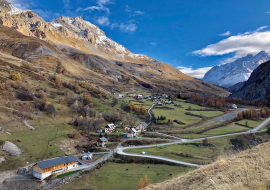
column 190, row 35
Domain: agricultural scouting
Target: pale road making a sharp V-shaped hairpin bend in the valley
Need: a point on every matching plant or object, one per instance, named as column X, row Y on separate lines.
column 120, row 150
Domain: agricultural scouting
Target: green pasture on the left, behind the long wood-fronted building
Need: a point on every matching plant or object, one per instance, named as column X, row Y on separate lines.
column 36, row 144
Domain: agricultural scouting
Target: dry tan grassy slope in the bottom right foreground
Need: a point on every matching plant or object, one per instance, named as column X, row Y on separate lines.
column 249, row 170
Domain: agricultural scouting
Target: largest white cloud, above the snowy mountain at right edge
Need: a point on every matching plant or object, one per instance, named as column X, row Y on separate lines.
column 240, row 44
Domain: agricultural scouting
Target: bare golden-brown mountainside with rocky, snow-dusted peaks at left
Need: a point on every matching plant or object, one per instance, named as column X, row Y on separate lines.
column 78, row 44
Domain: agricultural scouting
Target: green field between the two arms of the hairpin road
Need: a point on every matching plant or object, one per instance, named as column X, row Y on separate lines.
column 189, row 152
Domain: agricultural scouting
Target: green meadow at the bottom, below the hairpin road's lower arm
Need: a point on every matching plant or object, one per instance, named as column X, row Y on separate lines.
column 114, row 176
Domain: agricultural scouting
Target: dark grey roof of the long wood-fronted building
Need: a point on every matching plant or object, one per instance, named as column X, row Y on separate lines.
column 56, row 161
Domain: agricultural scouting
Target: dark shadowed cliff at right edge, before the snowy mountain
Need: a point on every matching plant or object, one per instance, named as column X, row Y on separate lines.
column 258, row 85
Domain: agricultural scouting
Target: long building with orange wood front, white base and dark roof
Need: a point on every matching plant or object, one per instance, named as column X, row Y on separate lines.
column 44, row 169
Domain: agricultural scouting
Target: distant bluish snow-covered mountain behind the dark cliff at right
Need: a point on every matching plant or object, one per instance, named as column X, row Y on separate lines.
column 238, row 71
